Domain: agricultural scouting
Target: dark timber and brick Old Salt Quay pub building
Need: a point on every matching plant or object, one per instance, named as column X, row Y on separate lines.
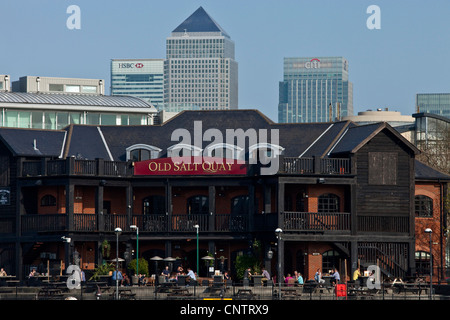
column 344, row 195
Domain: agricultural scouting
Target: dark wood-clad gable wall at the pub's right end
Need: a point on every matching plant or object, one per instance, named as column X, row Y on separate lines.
column 386, row 198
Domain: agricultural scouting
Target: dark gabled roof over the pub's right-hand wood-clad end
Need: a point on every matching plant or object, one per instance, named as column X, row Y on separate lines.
column 356, row 137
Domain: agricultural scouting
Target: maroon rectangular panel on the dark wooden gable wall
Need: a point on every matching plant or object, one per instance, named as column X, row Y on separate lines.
column 382, row 168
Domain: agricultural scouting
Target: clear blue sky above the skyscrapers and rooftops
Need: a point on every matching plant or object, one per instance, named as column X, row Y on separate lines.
column 410, row 53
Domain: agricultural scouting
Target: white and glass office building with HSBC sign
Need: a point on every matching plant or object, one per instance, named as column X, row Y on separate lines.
column 141, row 78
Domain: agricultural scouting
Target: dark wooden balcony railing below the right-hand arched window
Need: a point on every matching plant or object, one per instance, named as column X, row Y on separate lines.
column 315, row 221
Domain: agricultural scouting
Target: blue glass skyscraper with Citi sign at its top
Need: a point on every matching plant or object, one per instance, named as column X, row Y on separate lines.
column 315, row 89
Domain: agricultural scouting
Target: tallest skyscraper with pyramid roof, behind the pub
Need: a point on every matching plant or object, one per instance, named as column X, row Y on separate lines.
column 200, row 69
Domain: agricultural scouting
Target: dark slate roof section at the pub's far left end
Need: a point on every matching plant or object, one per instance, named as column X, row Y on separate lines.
column 33, row 142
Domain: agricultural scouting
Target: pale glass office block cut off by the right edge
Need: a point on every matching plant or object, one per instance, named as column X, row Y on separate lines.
column 435, row 103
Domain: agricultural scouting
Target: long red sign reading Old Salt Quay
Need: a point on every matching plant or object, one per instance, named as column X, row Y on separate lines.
column 190, row 166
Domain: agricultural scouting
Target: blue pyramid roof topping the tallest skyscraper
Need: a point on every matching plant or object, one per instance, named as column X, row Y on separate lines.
column 200, row 21
